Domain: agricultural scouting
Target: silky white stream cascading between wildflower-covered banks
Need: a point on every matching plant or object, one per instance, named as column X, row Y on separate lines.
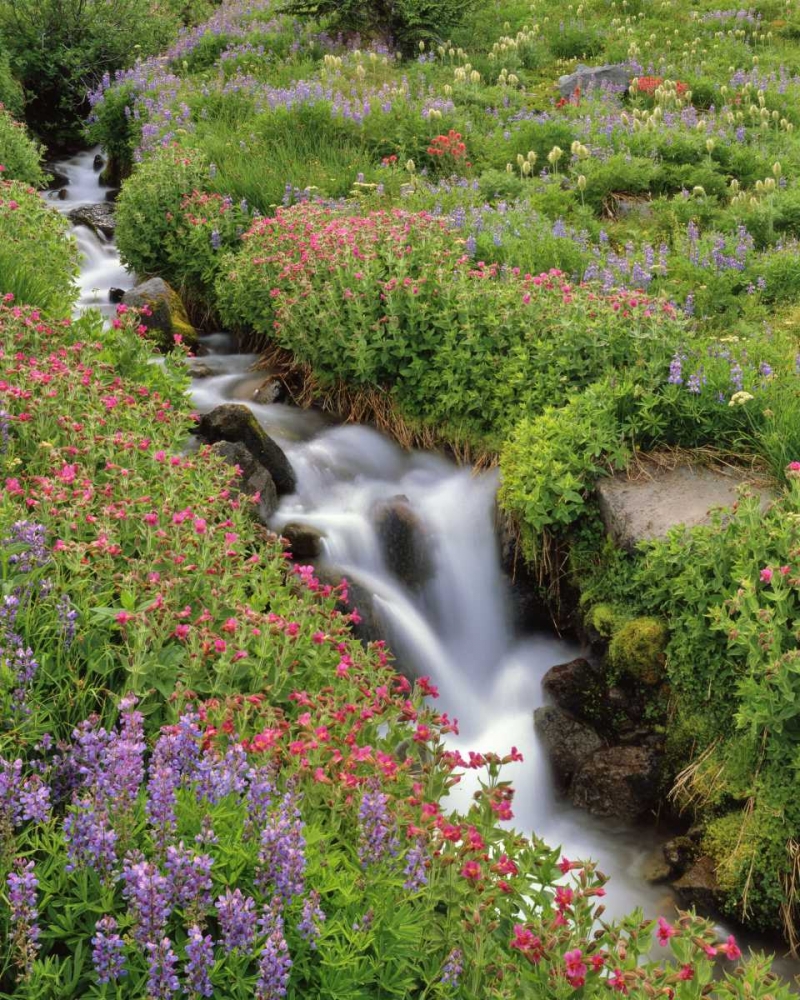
column 454, row 626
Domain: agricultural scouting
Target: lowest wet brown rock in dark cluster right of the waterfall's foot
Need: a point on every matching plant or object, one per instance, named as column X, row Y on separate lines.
column 618, row 781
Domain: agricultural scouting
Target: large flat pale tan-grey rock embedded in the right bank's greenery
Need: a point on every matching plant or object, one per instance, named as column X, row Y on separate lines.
column 635, row 511
